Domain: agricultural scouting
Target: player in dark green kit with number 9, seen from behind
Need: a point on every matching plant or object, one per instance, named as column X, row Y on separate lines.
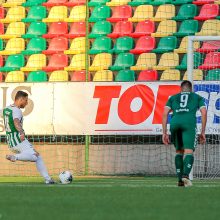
column 184, row 106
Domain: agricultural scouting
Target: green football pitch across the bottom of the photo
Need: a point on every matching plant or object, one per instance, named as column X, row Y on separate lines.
column 126, row 198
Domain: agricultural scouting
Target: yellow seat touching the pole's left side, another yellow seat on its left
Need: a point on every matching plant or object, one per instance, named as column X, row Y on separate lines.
column 77, row 14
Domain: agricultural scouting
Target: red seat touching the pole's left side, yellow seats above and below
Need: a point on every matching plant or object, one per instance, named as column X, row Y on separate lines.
column 78, row 29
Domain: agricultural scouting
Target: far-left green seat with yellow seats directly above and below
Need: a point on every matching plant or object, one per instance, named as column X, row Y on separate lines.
column 13, row 62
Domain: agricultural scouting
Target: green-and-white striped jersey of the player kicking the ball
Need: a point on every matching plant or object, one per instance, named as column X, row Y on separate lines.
column 10, row 113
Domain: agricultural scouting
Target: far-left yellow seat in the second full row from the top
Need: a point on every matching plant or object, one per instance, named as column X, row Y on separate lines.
column 15, row 29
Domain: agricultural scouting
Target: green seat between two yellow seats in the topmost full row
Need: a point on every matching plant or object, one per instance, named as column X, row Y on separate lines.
column 35, row 14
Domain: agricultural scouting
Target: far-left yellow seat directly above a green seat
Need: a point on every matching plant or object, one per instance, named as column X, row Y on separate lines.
column 13, row 46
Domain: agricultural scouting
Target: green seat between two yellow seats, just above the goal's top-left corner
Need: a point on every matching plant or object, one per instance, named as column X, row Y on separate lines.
column 187, row 27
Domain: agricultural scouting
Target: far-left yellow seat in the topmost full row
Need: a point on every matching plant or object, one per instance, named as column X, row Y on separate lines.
column 14, row 14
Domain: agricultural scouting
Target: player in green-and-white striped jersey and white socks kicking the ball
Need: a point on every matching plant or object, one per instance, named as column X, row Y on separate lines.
column 13, row 120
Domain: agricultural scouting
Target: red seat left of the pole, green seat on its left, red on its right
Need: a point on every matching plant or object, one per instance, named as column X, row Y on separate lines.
column 57, row 29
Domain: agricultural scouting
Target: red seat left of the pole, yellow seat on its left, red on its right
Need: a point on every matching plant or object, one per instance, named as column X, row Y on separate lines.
column 56, row 62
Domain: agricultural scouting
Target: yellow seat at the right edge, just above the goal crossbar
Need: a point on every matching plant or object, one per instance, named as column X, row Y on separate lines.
column 210, row 28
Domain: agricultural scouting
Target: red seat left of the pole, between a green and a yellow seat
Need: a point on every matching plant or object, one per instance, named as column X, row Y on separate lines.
column 57, row 45
